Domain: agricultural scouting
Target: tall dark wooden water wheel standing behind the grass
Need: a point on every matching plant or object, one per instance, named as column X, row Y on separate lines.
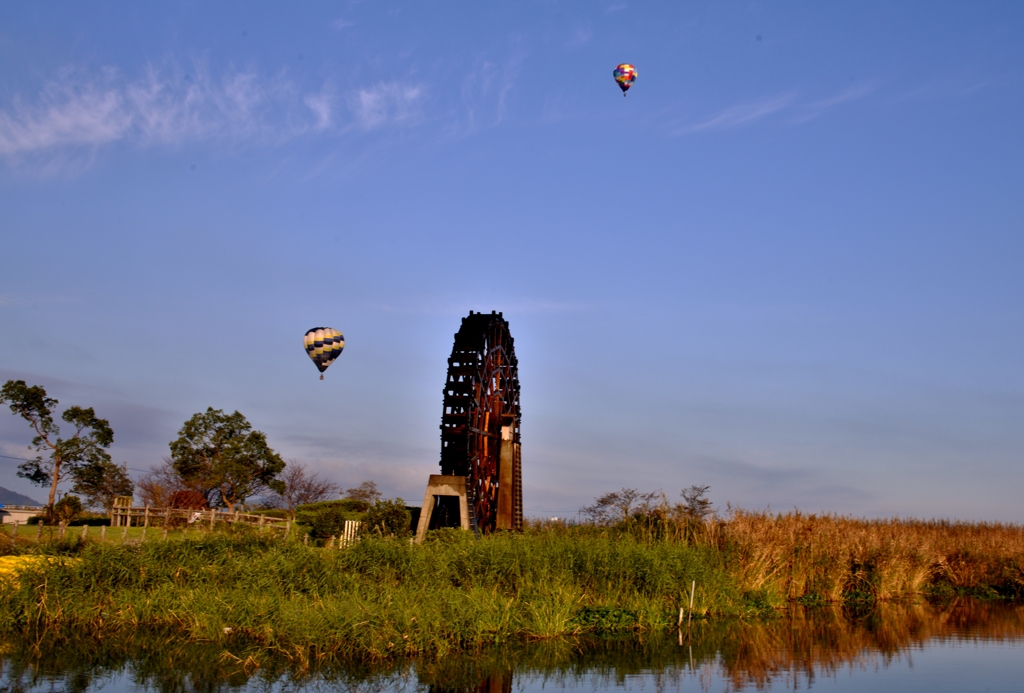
column 481, row 422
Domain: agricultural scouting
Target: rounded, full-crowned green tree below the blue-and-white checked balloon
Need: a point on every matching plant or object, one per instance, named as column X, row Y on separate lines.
column 222, row 456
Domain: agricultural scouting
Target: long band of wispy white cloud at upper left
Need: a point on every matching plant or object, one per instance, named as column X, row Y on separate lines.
column 78, row 114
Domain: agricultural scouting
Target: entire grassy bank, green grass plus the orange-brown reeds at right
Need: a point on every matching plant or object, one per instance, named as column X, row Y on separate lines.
column 385, row 598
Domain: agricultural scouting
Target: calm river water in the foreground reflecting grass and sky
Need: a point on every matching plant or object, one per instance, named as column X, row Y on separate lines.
column 963, row 646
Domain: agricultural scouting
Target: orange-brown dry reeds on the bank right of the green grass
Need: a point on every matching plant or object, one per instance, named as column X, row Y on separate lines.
column 789, row 557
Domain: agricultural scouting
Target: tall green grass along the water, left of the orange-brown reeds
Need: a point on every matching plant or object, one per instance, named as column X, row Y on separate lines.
column 379, row 598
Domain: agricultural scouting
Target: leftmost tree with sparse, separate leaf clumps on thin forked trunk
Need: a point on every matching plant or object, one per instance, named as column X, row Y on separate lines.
column 60, row 459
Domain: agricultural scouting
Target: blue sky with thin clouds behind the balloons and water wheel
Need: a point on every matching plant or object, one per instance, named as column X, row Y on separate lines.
column 787, row 266
